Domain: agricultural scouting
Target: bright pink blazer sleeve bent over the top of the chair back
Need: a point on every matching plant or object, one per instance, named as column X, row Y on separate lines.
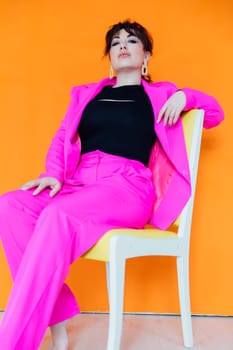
column 213, row 112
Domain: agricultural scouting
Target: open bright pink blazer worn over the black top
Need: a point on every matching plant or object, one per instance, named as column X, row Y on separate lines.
column 168, row 160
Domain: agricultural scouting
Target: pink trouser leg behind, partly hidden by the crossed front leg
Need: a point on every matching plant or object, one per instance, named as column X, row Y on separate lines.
column 19, row 212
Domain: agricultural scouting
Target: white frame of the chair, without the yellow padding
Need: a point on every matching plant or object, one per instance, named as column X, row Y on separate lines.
column 123, row 246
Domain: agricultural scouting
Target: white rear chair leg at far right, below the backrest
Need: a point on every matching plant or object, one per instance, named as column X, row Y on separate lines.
column 184, row 297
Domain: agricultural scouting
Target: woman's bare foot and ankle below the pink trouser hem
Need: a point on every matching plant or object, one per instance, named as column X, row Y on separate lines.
column 59, row 336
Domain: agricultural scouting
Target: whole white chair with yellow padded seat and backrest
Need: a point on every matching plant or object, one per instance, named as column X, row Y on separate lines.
column 119, row 244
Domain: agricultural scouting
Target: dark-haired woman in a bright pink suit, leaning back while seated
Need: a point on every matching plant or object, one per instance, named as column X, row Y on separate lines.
column 99, row 175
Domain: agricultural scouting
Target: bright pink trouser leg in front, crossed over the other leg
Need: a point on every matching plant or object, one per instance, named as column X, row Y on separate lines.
column 65, row 229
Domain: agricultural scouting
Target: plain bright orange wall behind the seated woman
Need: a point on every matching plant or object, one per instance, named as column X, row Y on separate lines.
column 49, row 46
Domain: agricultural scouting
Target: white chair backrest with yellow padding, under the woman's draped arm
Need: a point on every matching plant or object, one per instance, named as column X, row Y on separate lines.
column 192, row 124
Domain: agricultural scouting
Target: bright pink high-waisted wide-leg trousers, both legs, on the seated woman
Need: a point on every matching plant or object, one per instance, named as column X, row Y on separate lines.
column 42, row 236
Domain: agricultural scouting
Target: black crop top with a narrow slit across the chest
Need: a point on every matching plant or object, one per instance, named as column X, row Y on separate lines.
column 119, row 121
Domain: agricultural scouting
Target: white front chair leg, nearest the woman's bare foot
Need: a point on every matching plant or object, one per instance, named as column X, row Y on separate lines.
column 116, row 296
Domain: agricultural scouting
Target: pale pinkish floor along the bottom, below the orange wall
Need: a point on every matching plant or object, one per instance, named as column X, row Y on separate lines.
column 148, row 332
